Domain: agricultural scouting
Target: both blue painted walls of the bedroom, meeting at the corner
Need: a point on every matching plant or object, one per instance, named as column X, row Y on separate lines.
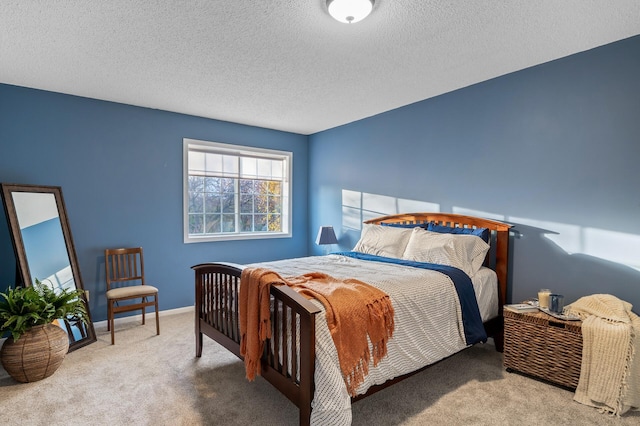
column 553, row 149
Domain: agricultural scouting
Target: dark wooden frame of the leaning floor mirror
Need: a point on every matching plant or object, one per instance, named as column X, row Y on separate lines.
column 87, row 333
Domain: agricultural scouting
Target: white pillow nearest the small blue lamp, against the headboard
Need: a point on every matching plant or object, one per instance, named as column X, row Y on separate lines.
column 387, row 241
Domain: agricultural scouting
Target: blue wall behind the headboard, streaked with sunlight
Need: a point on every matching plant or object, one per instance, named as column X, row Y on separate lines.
column 553, row 149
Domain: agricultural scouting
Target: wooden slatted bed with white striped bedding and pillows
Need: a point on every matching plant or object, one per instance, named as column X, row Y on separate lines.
column 297, row 359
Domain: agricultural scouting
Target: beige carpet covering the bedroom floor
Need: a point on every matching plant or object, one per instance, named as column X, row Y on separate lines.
column 156, row 380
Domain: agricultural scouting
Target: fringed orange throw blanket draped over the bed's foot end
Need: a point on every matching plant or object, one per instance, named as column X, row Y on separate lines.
column 354, row 310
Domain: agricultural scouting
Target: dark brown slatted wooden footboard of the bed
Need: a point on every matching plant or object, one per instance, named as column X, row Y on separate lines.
column 288, row 361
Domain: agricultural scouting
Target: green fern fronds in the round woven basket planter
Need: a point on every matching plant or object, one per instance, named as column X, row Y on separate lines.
column 26, row 307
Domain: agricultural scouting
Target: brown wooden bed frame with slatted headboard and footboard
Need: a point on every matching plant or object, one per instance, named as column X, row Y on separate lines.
column 216, row 302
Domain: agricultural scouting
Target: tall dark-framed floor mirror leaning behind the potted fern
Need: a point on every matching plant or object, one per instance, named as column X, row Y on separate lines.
column 44, row 248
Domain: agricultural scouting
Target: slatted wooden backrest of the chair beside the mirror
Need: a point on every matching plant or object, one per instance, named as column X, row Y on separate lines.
column 124, row 266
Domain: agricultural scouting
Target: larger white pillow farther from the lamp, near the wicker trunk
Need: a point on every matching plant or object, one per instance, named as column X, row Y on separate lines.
column 465, row 252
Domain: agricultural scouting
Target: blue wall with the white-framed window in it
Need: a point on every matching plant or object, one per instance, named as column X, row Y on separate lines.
column 120, row 169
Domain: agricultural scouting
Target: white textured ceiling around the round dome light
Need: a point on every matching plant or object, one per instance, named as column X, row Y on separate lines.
column 286, row 64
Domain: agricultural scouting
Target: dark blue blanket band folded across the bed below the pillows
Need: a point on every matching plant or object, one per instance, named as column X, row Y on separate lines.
column 472, row 321
